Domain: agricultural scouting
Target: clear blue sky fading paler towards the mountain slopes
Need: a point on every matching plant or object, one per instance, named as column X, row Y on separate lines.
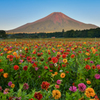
column 14, row 13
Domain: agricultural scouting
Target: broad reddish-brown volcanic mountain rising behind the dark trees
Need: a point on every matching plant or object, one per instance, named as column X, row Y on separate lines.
column 53, row 23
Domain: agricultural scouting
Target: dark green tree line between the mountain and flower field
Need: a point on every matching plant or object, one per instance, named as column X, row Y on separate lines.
column 88, row 33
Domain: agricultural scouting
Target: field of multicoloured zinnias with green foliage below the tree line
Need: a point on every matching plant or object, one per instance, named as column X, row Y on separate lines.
column 50, row 69
